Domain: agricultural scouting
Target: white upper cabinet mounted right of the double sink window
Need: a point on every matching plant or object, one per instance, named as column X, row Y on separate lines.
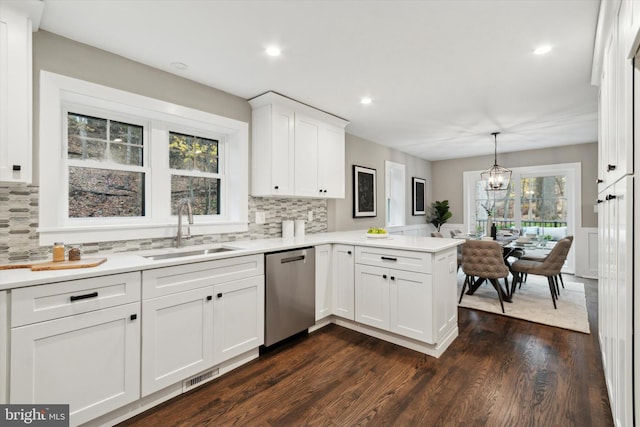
column 297, row 151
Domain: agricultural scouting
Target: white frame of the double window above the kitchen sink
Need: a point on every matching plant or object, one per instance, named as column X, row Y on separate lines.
column 59, row 94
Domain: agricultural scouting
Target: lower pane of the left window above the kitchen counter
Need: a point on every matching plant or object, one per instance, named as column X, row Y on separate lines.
column 105, row 193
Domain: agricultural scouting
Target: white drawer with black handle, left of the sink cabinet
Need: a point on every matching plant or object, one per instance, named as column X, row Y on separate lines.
column 52, row 301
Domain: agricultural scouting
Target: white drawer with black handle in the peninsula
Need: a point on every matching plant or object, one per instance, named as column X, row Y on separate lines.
column 419, row 262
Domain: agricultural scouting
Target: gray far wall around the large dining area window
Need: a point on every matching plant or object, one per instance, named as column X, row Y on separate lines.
column 447, row 174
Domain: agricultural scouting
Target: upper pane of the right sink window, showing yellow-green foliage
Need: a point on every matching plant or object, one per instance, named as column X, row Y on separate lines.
column 187, row 152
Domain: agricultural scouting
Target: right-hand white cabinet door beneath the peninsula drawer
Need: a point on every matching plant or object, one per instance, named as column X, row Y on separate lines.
column 411, row 305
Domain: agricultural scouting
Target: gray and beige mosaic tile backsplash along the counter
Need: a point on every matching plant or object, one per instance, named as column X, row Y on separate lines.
column 19, row 223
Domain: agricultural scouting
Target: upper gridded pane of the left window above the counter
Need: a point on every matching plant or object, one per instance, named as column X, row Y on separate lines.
column 92, row 138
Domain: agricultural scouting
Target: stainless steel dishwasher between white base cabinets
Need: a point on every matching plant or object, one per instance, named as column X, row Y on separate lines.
column 290, row 293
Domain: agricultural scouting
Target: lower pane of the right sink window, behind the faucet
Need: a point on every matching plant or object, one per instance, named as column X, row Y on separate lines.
column 204, row 194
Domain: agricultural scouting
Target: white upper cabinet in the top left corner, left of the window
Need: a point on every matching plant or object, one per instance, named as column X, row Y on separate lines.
column 17, row 20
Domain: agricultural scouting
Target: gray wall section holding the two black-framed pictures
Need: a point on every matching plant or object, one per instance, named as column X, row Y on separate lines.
column 362, row 152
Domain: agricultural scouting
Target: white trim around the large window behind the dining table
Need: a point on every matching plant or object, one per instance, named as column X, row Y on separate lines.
column 574, row 196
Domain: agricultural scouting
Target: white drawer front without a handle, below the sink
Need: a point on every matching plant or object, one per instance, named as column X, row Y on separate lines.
column 169, row 280
